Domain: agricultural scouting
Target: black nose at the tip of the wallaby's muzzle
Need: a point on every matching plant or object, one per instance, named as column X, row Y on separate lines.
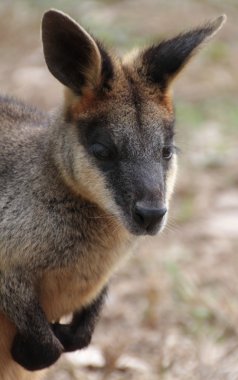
column 148, row 217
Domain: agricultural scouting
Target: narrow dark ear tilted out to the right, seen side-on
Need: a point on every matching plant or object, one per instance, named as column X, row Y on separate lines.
column 161, row 63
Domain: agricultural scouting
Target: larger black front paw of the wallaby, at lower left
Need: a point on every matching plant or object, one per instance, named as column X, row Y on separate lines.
column 34, row 355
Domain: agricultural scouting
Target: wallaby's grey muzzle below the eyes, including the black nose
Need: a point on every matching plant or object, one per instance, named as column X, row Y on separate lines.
column 140, row 193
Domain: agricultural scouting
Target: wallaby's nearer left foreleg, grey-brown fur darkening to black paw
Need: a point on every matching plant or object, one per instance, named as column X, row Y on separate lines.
column 35, row 346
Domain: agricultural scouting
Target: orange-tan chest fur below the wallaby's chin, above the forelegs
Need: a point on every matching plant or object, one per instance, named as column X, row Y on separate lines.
column 63, row 290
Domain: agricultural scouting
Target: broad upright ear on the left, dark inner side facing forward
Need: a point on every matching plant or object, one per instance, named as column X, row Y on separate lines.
column 72, row 55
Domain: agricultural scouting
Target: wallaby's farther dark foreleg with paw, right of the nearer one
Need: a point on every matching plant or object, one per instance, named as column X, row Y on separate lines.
column 78, row 333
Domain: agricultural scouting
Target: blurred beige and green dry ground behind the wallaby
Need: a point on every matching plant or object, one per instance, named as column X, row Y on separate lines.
column 172, row 310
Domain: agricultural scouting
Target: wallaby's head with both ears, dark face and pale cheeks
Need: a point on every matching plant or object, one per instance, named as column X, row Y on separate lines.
column 118, row 117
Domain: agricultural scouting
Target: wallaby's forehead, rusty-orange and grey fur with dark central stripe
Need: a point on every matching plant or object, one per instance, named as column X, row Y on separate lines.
column 130, row 114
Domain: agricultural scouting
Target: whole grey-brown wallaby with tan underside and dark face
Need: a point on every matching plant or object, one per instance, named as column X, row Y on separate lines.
column 79, row 189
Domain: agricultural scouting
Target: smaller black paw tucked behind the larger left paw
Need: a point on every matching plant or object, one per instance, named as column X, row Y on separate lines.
column 71, row 340
